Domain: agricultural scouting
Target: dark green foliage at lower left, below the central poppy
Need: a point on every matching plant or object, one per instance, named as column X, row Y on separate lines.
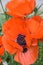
column 9, row 59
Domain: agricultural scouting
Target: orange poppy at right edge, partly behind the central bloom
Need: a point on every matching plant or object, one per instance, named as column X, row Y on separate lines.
column 35, row 25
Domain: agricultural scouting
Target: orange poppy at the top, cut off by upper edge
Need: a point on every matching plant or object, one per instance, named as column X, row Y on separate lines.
column 20, row 7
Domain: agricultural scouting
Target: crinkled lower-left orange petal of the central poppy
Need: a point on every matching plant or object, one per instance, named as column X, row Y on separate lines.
column 10, row 47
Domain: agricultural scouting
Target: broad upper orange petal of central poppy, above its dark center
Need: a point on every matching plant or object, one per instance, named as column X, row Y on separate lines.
column 13, row 27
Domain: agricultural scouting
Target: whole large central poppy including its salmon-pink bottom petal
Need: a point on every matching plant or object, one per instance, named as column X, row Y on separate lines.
column 17, row 39
